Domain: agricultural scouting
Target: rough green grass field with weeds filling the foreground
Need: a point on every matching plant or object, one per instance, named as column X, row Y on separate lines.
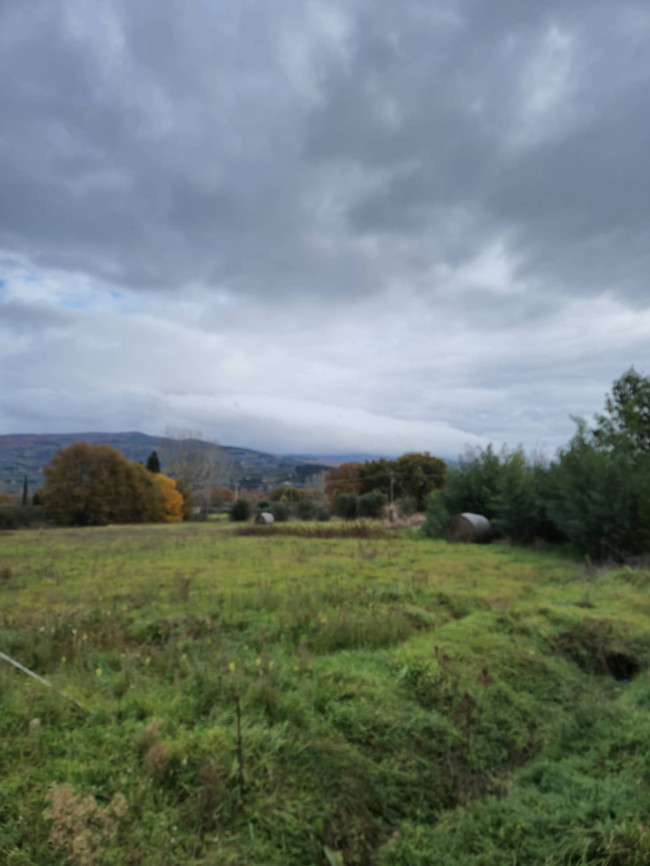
column 400, row 701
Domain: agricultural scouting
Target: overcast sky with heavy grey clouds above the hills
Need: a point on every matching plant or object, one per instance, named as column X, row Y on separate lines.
column 330, row 226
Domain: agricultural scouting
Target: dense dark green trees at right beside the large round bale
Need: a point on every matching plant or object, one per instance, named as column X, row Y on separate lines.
column 595, row 495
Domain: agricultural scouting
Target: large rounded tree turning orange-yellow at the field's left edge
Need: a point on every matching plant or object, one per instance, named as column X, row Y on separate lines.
column 90, row 485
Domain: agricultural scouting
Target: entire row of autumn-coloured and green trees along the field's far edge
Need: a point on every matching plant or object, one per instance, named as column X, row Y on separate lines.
column 594, row 495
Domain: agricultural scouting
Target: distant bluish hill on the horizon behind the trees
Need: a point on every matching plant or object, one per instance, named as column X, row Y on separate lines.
column 27, row 454
